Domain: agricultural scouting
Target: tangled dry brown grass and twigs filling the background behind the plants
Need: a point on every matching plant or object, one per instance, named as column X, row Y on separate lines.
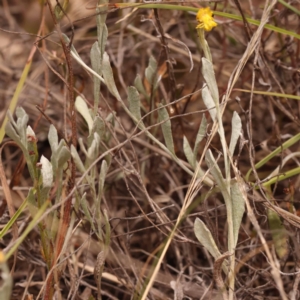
column 124, row 208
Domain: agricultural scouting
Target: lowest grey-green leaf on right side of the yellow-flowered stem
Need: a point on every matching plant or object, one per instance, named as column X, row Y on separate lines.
column 238, row 209
